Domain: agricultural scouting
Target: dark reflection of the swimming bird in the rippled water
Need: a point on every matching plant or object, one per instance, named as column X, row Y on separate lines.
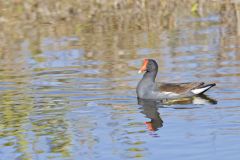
column 150, row 108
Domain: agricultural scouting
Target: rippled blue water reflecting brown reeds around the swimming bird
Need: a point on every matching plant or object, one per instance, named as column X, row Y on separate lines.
column 73, row 97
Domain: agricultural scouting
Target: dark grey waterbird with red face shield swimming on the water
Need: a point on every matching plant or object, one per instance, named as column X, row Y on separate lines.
column 148, row 88
